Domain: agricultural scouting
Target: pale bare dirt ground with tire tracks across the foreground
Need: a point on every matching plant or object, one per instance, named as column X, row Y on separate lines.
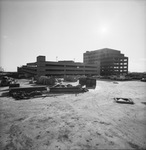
column 90, row 120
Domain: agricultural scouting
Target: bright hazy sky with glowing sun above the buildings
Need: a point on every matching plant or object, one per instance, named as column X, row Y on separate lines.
column 67, row 29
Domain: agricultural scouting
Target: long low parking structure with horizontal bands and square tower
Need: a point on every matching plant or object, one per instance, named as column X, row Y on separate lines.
column 60, row 68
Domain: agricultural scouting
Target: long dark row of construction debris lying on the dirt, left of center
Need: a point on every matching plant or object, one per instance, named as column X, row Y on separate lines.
column 43, row 91
